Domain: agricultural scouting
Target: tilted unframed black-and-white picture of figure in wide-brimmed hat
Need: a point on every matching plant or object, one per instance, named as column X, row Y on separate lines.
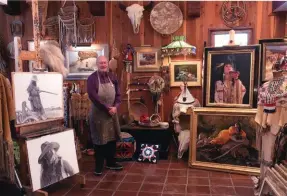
column 52, row 158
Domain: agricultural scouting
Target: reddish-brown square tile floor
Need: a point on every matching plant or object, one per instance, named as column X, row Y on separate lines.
column 167, row 178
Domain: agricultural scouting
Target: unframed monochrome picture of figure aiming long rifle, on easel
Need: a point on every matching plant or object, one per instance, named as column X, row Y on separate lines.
column 38, row 97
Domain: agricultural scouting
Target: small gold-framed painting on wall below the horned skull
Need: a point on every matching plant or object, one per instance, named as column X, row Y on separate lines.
column 147, row 59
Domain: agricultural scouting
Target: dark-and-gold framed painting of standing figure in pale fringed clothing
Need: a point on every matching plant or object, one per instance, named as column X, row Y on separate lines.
column 231, row 76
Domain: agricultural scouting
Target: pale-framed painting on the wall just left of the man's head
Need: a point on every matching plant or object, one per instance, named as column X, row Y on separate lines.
column 81, row 60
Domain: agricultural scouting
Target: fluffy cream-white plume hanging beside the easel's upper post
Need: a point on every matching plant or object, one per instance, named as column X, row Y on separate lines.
column 51, row 54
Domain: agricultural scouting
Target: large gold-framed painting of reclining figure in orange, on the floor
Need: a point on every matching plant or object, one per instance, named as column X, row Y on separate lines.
column 224, row 139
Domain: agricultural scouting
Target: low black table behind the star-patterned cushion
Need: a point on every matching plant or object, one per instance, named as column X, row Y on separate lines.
column 150, row 135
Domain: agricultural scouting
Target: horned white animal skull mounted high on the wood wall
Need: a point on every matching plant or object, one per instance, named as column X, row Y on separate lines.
column 135, row 14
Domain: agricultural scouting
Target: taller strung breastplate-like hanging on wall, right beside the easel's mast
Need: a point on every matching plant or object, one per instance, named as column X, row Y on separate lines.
column 68, row 25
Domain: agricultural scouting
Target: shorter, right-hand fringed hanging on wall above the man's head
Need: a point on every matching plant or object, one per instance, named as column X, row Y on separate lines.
column 86, row 30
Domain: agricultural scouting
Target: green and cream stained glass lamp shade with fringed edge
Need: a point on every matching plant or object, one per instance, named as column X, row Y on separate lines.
column 178, row 47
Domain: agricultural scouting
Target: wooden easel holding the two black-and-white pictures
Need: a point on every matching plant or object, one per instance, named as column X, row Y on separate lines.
column 39, row 129
